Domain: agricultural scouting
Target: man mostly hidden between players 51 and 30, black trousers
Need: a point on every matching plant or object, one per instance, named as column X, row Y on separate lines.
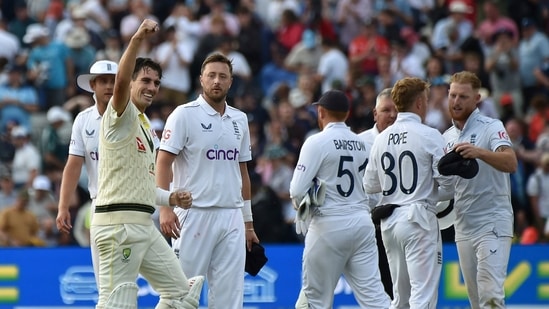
column 385, row 114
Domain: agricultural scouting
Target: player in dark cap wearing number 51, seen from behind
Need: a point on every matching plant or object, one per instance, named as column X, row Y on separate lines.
column 341, row 235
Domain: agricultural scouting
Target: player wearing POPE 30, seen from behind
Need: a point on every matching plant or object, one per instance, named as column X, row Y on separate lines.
column 403, row 167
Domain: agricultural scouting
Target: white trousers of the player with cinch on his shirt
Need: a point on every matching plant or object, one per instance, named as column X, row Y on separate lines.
column 213, row 244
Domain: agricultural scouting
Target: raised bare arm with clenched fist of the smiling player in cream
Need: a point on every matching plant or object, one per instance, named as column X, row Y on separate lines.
column 121, row 94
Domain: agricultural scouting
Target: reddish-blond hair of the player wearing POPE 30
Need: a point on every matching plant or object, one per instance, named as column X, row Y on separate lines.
column 406, row 90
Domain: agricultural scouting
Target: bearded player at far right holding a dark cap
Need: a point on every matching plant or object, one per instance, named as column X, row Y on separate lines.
column 484, row 215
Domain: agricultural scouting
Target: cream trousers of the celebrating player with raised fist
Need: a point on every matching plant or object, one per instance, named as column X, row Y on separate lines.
column 125, row 250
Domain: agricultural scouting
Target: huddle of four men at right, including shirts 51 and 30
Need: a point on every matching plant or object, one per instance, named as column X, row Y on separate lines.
column 404, row 173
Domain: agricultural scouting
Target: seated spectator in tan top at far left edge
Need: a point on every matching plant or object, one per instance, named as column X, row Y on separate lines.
column 18, row 226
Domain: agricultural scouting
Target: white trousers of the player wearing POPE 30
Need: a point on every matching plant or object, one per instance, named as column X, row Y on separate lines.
column 414, row 250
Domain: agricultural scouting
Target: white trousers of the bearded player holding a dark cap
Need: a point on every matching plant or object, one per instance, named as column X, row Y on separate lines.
column 483, row 262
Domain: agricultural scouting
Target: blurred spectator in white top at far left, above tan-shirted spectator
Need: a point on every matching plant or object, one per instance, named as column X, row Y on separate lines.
column 26, row 161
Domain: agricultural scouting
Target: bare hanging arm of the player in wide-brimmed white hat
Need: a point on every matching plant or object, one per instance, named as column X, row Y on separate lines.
column 69, row 181
